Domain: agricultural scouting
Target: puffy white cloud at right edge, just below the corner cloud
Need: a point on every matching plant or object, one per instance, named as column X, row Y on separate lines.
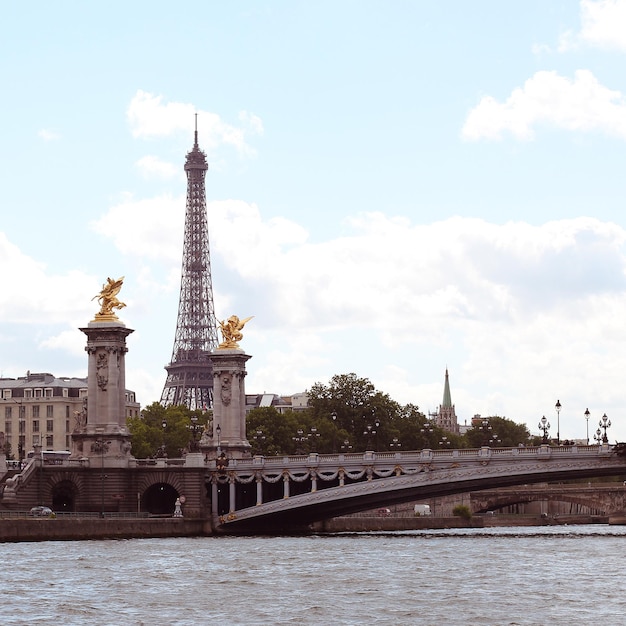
column 582, row 104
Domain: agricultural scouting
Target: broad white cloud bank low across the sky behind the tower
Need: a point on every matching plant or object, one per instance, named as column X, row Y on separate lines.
column 521, row 314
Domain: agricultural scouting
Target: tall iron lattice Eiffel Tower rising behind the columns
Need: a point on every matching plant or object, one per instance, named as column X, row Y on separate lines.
column 190, row 373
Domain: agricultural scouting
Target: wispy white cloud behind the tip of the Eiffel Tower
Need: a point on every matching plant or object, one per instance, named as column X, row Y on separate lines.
column 149, row 116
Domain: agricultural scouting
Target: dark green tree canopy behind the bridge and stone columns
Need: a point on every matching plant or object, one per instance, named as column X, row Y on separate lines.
column 346, row 415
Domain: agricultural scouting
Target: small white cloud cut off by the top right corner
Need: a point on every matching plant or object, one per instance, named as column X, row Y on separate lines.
column 603, row 25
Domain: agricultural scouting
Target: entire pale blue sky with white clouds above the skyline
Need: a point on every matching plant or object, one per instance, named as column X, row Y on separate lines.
column 394, row 188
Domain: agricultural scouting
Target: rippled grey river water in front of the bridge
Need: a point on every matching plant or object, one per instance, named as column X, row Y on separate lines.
column 561, row 575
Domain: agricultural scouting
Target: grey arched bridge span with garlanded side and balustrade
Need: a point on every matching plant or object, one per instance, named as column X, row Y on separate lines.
column 322, row 491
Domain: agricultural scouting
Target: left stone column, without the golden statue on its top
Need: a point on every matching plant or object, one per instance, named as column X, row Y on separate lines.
column 102, row 433
